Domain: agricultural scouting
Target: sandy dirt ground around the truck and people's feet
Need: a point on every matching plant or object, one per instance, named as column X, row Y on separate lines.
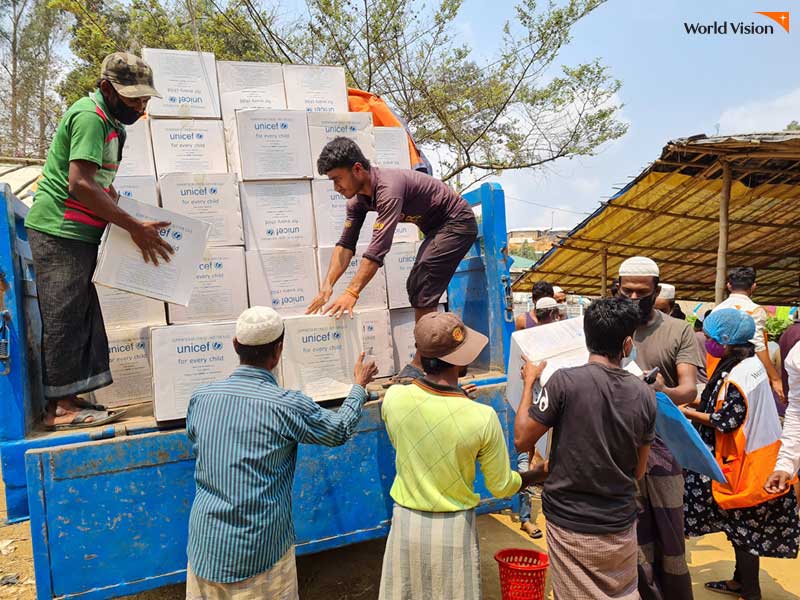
column 353, row 572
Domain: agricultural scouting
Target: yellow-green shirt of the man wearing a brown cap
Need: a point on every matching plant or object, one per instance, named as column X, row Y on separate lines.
column 438, row 434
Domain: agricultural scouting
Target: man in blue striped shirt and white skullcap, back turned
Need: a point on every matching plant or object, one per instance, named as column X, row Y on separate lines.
column 245, row 430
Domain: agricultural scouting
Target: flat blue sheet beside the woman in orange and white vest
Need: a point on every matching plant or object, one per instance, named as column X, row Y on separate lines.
column 683, row 441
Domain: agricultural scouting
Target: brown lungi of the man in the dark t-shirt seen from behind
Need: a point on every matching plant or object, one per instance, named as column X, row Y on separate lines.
column 592, row 565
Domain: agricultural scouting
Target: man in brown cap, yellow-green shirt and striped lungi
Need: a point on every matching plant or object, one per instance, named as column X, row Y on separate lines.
column 439, row 434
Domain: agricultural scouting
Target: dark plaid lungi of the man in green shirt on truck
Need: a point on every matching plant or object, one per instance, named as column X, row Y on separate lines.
column 74, row 343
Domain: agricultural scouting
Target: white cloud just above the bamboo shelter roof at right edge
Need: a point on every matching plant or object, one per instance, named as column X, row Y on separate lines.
column 764, row 115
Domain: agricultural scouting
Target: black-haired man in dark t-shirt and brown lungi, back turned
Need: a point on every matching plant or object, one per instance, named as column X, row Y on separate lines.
column 603, row 421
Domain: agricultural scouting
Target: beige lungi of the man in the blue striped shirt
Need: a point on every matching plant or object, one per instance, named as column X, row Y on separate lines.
column 279, row 582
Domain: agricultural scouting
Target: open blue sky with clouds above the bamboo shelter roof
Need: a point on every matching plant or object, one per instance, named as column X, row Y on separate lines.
column 673, row 85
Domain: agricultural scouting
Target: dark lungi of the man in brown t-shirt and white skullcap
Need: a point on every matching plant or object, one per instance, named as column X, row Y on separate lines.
column 663, row 571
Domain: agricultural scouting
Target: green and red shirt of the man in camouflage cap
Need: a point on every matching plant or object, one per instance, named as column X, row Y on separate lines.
column 86, row 132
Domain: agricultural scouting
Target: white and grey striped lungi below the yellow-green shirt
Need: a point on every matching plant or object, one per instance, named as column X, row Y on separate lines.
column 431, row 556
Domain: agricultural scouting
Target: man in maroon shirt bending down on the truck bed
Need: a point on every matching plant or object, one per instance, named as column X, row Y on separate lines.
column 397, row 196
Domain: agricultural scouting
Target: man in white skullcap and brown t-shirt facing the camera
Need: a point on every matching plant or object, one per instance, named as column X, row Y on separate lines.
column 670, row 345
